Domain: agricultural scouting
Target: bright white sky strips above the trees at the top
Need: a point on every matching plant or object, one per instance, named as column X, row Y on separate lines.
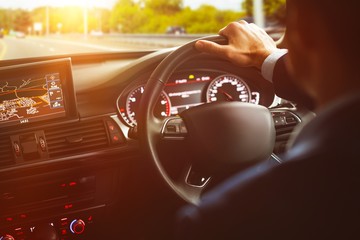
column 30, row 4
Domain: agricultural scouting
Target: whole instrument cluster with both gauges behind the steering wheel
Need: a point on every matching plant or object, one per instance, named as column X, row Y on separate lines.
column 188, row 89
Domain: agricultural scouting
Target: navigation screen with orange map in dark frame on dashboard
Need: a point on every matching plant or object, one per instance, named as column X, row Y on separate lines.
column 35, row 92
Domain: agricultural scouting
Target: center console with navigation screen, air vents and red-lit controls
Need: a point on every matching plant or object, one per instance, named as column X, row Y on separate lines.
column 48, row 188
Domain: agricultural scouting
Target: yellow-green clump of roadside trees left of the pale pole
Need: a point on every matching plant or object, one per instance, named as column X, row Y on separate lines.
column 155, row 16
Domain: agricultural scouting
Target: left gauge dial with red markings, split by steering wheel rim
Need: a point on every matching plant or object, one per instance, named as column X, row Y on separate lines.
column 162, row 107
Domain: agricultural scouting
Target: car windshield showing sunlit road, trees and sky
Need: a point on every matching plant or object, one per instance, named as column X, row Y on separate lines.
column 49, row 27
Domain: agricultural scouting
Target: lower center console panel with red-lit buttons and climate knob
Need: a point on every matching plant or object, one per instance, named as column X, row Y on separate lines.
column 69, row 207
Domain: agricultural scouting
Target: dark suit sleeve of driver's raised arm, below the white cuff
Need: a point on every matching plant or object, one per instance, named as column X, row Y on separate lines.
column 286, row 88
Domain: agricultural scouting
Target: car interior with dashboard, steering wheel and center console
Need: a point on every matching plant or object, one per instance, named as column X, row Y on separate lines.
column 107, row 145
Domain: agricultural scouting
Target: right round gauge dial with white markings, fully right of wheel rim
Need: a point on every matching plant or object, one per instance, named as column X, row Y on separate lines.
column 228, row 88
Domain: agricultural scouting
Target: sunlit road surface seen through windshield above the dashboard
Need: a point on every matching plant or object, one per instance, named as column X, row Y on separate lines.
column 11, row 47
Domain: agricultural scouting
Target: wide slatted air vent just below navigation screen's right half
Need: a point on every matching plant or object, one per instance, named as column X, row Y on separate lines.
column 72, row 139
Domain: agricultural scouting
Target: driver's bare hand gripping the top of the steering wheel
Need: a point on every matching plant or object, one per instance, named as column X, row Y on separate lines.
column 249, row 45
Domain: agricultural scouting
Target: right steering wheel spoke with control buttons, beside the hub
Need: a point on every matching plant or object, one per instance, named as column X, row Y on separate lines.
column 285, row 122
